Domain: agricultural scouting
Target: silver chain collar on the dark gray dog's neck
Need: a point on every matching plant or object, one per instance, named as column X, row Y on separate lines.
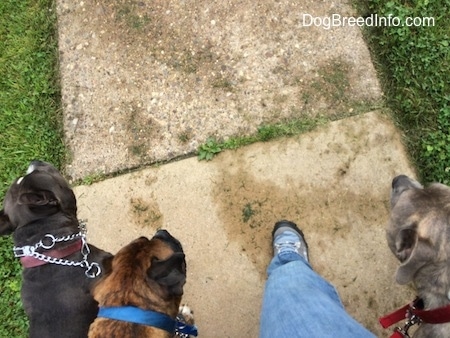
column 92, row 270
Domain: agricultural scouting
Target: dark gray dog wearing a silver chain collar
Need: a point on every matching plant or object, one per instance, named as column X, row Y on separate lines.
column 59, row 266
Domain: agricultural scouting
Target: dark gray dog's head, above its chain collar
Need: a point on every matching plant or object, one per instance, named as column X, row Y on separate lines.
column 40, row 194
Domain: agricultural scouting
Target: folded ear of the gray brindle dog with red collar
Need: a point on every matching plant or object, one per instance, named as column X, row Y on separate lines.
column 414, row 252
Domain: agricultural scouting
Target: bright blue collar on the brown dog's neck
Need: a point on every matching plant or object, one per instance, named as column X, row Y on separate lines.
column 136, row 315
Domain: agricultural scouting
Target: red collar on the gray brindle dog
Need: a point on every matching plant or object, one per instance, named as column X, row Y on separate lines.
column 435, row 316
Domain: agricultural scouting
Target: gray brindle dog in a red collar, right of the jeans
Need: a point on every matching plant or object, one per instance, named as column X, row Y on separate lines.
column 419, row 236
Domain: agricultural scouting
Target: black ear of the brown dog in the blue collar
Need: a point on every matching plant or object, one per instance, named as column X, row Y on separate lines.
column 170, row 272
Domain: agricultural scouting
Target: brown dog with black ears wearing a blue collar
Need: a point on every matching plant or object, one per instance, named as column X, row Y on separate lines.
column 144, row 279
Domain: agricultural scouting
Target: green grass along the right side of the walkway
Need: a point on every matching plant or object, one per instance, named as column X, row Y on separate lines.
column 414, row 64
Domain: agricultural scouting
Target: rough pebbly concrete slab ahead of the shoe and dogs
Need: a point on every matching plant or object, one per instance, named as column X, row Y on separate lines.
column 147, row 81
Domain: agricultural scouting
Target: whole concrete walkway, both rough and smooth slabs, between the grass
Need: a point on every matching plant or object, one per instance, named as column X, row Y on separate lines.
column 147, row 81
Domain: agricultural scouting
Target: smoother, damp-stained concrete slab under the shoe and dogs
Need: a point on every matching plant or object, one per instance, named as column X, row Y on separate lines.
column 334, row 182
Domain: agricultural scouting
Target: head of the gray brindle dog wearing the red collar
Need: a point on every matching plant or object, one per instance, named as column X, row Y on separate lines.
column 417, row 232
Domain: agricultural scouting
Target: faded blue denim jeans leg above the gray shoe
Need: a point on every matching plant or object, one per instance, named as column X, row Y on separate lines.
column 299, row 303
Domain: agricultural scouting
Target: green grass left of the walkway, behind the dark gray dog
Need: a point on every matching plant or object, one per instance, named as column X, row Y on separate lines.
column 30, row 126
